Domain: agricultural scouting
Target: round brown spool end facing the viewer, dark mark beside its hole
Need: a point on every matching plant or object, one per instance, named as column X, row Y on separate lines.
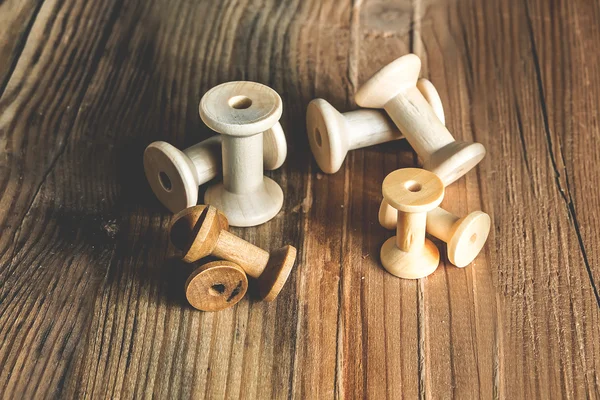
column 216, row 286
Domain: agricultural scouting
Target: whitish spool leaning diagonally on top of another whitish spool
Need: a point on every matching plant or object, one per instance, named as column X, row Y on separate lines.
column 394, row 88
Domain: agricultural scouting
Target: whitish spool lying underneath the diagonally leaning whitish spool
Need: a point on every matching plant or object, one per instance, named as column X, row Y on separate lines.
column 332, row 134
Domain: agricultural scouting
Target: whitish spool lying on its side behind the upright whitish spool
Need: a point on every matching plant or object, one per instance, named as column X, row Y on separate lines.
column 175, row 175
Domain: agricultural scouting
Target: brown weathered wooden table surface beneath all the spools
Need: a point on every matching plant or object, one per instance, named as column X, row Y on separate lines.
column 91, row 301
